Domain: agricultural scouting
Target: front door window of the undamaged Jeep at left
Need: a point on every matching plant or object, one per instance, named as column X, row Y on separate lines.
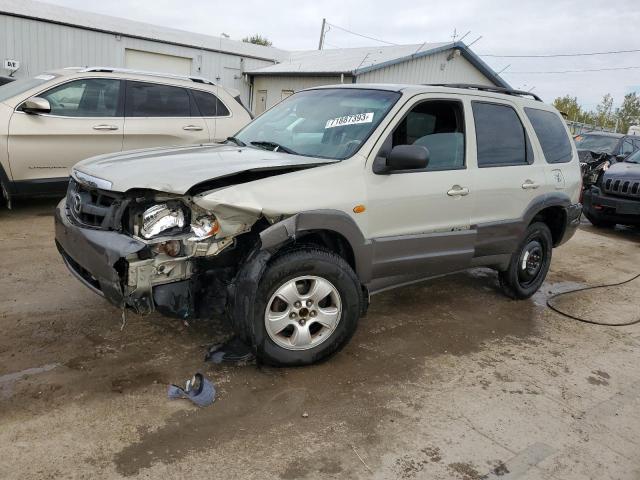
column 90, row 97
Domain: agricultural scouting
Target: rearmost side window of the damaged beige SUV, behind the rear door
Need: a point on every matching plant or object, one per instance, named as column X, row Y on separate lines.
column 552, row 135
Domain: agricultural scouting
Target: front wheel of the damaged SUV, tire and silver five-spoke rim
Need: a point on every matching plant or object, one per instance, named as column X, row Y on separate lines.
column 307, row 308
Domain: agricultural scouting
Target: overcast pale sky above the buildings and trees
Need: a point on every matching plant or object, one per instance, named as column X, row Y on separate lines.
column 507, row 27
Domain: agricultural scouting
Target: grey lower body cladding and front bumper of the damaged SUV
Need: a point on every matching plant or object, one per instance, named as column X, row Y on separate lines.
column 98, row 258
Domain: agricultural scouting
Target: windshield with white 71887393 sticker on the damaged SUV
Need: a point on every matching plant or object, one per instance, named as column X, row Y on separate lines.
column 328, row 123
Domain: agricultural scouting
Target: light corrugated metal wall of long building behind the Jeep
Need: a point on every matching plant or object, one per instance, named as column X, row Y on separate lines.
column 41, row 46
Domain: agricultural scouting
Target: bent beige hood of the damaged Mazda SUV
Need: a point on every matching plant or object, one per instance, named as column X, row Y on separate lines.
column 177, row 169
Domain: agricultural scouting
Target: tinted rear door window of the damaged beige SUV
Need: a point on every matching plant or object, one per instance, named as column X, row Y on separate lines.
column 500, row 136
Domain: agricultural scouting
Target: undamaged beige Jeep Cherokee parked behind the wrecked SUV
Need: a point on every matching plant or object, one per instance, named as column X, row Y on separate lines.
column 53, row 120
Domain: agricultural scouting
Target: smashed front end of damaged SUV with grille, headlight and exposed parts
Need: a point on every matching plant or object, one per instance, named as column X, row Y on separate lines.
column 179, row 246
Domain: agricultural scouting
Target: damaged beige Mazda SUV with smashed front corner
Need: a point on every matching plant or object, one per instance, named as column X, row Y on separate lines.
column 332, row 195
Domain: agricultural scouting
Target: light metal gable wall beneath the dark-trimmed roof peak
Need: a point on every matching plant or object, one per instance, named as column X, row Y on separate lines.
column 428, row 69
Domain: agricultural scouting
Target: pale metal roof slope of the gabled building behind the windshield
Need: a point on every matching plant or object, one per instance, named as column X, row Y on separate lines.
column 344, row 60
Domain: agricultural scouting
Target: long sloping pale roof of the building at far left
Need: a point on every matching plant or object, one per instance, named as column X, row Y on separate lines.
column 104, row 23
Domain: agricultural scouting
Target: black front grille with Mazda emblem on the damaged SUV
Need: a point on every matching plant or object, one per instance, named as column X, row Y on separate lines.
column 95, row 208
